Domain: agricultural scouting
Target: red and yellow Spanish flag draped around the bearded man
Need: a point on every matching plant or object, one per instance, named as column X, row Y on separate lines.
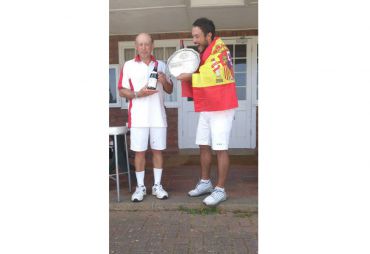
column 213, row 87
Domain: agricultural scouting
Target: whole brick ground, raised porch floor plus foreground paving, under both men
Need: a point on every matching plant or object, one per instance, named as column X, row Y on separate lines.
column 175, row 225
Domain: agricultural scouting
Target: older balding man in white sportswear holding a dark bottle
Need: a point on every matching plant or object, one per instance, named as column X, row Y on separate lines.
column 146, row 113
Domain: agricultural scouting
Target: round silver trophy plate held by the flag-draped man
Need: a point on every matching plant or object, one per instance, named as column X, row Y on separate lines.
column 184, row 60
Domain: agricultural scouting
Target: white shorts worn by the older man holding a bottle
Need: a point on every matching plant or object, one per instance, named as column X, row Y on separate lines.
column 139, row 138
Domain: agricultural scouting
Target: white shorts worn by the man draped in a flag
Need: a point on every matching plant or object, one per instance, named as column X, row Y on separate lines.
column 214, row 129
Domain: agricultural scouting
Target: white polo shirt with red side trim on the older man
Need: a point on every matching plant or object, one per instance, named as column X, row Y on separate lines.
column 145, row 111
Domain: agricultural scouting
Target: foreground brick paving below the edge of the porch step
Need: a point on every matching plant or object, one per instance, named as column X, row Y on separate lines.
column 182, row 232
